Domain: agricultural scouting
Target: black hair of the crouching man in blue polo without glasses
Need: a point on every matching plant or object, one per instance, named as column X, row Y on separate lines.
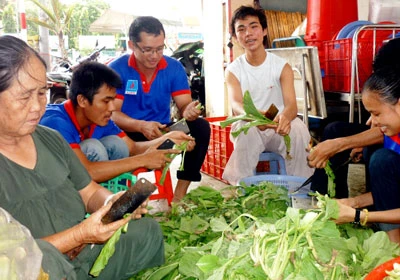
column 89, row 77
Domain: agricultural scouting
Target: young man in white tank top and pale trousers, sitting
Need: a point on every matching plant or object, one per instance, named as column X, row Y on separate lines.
column 269, row 79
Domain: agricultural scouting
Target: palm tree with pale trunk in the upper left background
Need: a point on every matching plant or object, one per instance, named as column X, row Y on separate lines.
column 58, row 20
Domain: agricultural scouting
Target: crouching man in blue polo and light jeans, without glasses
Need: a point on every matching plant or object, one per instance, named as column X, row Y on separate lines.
column 85, row 122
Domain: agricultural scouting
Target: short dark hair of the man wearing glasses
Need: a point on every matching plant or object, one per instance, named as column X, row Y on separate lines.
column 146, row 24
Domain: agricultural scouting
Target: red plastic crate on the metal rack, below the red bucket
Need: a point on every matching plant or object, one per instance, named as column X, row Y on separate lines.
column 338, row 58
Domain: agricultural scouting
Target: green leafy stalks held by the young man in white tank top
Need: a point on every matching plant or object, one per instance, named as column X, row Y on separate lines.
column 253, row 118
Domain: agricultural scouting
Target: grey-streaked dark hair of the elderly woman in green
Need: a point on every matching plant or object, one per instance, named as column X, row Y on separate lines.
column 14, row 54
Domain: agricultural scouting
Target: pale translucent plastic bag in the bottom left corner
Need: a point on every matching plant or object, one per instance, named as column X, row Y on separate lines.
column 20, row 256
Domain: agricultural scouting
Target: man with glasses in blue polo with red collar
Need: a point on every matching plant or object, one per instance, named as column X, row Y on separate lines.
column 150, row 82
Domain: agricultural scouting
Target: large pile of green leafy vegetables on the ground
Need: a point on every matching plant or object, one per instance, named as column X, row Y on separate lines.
column 253, row 234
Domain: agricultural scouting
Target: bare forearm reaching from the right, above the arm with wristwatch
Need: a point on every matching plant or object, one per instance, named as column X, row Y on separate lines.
column 326, row 149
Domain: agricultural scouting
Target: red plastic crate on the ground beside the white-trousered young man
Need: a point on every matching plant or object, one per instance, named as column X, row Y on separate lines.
column 220, row 150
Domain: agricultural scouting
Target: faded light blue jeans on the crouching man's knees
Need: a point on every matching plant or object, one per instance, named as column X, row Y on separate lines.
column 107, row 148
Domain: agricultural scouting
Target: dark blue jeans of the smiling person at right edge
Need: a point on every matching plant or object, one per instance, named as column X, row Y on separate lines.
column 384, row 171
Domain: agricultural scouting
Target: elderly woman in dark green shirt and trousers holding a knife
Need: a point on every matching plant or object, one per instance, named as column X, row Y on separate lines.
column 45, row 187
